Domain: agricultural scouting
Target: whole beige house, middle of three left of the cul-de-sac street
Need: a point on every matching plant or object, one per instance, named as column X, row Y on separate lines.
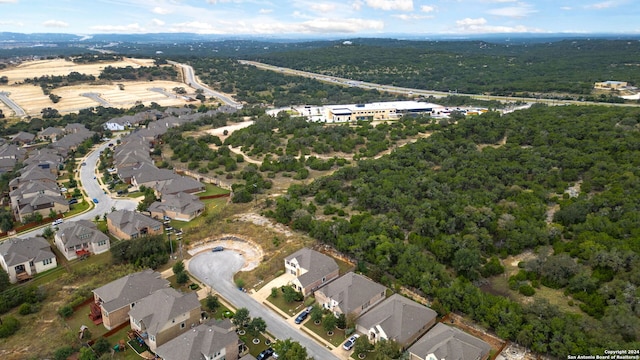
column 164, row 315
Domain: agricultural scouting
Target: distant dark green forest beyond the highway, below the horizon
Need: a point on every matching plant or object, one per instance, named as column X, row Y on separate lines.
column 563, row 67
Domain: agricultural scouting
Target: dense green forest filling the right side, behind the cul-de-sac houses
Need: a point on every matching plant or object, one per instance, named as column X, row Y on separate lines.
column 451, row 203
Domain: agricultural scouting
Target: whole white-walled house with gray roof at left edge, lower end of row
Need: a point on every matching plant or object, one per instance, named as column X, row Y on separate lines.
column 23, row 258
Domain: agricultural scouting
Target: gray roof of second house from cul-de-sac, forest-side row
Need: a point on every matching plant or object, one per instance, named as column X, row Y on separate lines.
column 351, row 291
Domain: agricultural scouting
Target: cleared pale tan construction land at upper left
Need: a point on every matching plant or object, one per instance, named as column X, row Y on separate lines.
column 32, row 99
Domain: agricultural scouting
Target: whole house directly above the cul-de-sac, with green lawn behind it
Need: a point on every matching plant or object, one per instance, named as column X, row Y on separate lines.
column 181, row 206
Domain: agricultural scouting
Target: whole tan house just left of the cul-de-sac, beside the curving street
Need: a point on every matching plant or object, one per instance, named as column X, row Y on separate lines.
column 125, row 224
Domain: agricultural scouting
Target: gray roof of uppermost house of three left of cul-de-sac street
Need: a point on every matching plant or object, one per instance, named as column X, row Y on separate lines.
column 129, row 289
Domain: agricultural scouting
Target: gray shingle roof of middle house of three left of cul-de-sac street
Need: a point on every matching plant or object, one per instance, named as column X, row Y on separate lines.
column 159, row 308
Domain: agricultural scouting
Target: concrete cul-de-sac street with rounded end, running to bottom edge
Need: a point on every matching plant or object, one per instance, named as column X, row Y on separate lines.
column 217, row 269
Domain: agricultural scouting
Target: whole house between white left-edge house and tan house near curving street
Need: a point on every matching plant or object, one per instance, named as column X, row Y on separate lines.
column 78, row 238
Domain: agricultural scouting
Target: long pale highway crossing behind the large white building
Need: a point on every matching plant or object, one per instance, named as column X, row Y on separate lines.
column 416, row 92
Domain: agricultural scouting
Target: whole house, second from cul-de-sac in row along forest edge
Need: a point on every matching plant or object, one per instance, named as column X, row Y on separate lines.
column 350, row 294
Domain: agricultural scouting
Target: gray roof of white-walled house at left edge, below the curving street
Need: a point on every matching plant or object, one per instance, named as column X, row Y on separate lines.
column 18, row 251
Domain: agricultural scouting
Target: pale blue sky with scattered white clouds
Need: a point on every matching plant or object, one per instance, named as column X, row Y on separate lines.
column 320, row 17
